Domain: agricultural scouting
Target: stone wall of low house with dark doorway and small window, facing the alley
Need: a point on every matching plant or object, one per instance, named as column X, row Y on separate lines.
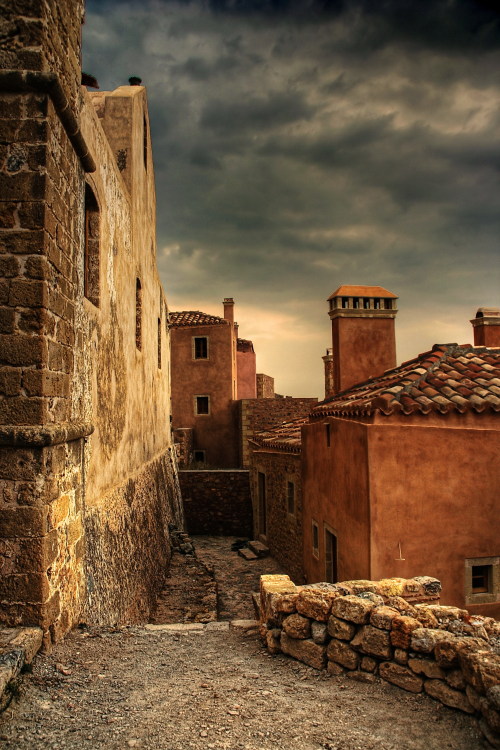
column 284, row 529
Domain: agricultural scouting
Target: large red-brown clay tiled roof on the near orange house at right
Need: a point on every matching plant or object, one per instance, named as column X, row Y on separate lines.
column 450, row 378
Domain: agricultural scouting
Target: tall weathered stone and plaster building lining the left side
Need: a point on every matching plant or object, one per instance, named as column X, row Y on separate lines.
column 87, row 475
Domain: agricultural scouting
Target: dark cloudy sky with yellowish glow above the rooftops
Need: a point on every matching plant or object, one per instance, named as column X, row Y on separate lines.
column 303, row 145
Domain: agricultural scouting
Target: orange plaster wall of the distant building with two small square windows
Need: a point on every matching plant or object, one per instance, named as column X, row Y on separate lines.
column 216, row 432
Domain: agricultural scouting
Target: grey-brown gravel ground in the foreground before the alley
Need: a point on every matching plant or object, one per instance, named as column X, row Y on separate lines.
column 162, row 690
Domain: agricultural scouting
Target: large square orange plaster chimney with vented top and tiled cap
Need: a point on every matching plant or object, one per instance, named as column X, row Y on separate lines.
column 363, row 338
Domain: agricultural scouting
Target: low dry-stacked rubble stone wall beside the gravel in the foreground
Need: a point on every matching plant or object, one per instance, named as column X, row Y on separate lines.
column 394, row 629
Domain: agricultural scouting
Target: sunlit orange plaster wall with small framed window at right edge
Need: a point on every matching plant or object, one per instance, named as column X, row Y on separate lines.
column 434, row 491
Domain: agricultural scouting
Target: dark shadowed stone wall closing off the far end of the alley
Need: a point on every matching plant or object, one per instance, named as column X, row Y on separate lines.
column 217, row 502
